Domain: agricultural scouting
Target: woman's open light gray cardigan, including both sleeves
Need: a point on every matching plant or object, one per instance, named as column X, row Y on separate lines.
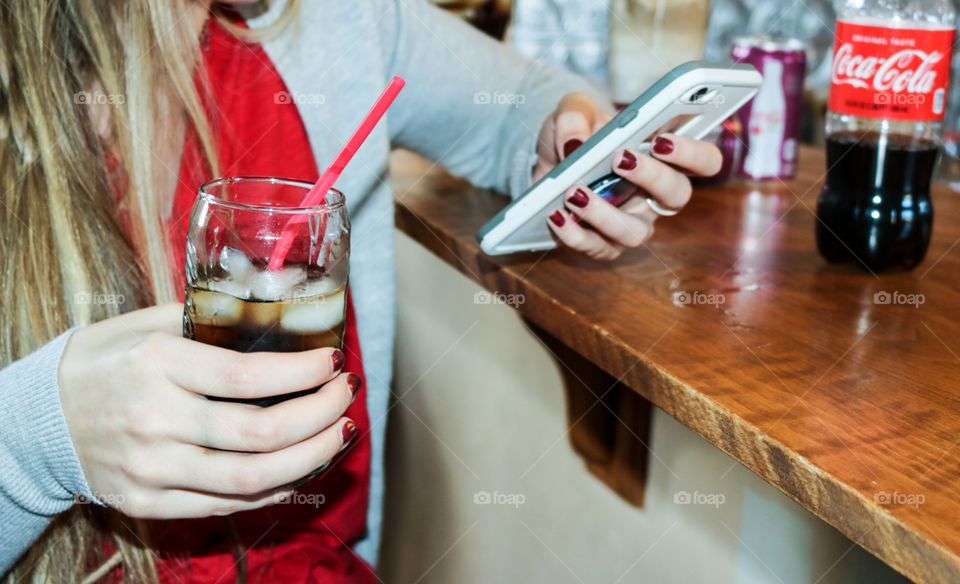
column 470, row 104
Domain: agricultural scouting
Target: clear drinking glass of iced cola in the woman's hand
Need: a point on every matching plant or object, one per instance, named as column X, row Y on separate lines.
column 234, row 301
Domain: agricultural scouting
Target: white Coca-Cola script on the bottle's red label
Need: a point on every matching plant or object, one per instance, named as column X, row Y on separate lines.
column 909, row 70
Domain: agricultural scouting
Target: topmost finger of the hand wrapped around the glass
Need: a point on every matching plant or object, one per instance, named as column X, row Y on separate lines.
column 209, row 370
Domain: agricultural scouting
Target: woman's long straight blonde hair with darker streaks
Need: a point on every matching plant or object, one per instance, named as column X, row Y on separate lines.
column 61, row 243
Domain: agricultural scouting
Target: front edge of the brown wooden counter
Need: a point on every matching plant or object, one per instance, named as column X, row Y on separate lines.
column 841, row 506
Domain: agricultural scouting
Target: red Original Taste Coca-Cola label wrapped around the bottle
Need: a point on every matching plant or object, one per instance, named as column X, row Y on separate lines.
column 891, row 73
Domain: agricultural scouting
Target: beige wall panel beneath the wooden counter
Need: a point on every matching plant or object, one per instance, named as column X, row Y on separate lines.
column 481, row 409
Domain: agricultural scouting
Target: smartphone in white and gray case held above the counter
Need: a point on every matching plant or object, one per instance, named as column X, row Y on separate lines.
column 689, row 101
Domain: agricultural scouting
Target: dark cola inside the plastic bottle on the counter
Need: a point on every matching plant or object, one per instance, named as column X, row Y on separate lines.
column 875, row 209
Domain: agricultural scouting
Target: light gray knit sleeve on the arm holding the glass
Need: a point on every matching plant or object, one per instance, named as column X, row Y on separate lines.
column 41, row 474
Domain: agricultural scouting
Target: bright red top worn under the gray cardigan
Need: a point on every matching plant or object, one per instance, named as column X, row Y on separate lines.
column 259, row 132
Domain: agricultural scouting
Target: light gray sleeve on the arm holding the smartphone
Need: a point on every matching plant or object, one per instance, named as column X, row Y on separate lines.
column 470, row 103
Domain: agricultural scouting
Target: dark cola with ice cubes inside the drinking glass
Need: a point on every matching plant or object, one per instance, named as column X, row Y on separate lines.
column 237, row 315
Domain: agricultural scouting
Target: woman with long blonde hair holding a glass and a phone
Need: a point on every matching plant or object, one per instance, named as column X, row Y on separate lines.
column 113, row 114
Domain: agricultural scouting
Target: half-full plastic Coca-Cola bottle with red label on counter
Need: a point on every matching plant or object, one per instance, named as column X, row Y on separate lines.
column 891, row 68
